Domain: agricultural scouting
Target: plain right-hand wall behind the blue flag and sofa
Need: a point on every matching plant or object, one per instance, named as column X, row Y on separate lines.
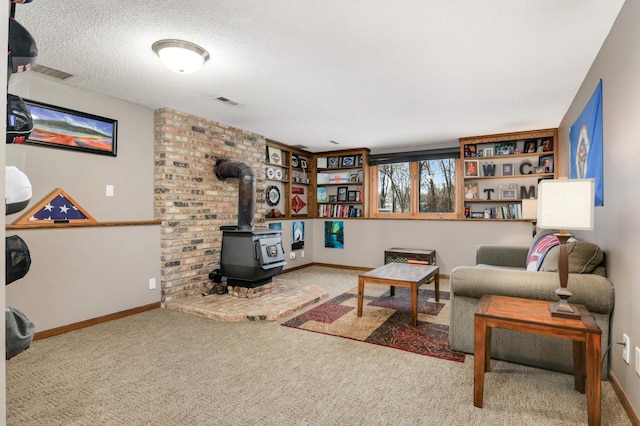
column 617, row 228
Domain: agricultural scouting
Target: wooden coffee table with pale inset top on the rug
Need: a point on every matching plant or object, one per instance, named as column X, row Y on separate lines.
column 401, row 275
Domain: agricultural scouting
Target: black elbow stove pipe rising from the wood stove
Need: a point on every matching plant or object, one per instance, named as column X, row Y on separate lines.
column 246, row 190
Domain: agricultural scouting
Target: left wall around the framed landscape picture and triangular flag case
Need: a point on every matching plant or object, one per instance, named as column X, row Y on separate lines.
column 83, row 273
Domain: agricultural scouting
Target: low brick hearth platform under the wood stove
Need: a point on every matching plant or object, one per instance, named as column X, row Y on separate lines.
column 286, row 298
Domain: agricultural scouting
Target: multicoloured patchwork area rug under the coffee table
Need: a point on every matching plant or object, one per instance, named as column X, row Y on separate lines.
column 385, row 321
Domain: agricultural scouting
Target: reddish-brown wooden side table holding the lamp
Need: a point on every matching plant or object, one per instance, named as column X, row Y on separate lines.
column 533, row 316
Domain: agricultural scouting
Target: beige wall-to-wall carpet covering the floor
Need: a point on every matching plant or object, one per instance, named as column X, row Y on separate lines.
column 169, row 368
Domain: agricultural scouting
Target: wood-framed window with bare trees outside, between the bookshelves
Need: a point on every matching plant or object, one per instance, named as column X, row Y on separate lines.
column 414, row 184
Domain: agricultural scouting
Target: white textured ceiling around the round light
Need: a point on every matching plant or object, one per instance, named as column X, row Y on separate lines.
column 383, row 74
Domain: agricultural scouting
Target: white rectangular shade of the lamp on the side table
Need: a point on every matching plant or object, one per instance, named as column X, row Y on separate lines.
column 566, row 204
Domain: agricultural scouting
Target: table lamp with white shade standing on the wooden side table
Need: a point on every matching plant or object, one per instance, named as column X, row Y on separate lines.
column 565, row 204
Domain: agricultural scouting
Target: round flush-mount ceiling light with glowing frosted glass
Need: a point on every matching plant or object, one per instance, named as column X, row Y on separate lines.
column 180, row 56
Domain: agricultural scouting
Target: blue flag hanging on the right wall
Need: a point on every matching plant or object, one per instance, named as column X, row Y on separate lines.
column 585, row 137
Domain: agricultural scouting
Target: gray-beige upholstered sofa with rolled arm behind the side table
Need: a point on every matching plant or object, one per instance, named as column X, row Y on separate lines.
column 501, row 270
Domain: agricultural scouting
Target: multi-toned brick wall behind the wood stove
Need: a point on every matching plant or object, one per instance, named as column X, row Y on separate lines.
column 191, row 202
